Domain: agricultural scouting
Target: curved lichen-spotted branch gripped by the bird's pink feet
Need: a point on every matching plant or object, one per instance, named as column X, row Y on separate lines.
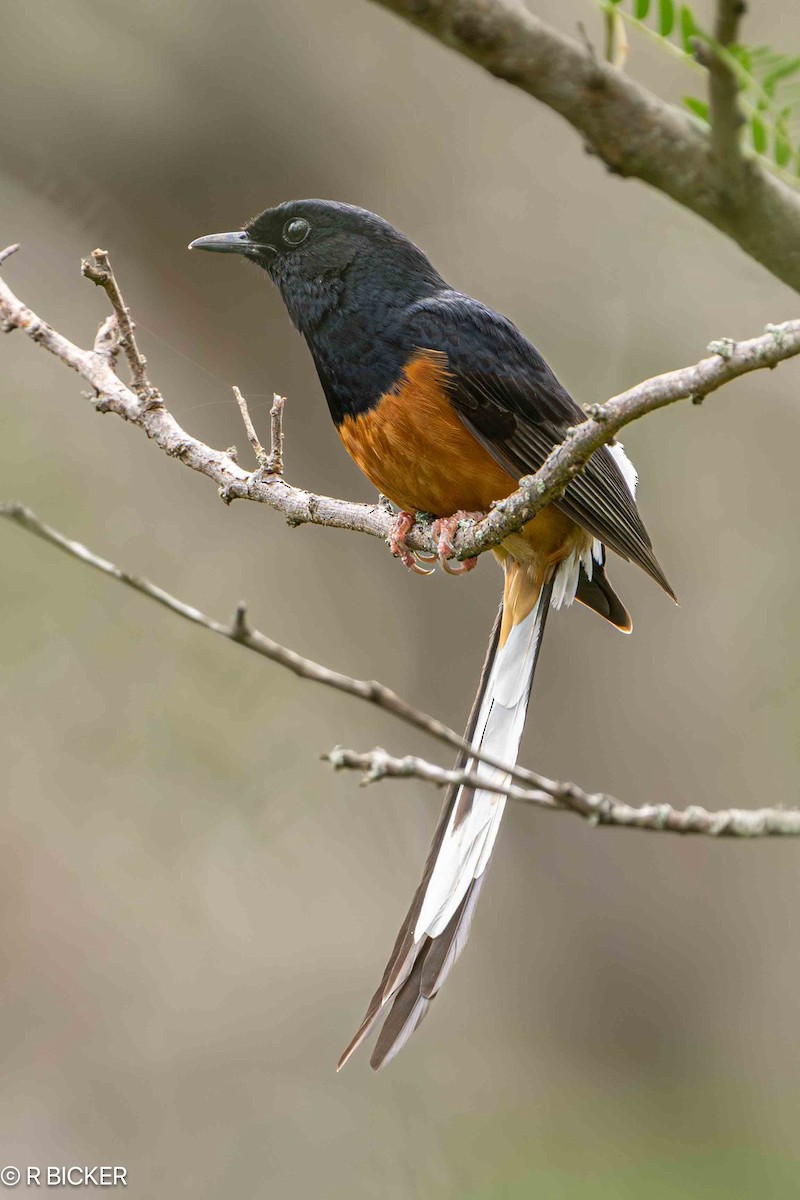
column 148, row 411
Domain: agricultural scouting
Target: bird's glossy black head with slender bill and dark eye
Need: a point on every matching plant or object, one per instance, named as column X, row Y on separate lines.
column 318, row 253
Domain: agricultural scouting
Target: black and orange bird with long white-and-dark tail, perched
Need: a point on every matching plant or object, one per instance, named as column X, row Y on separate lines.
column 444, row 405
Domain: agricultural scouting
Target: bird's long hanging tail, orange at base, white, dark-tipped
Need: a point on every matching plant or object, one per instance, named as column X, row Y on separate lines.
column 437, row 926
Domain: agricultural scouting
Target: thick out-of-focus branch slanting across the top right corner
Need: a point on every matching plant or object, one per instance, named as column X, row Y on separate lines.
column 624, row 124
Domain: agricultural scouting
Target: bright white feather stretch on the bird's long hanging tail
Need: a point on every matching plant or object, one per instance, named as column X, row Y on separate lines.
column 467, row 847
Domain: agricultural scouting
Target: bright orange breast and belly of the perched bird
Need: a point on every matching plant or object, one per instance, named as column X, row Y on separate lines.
column 414, row 448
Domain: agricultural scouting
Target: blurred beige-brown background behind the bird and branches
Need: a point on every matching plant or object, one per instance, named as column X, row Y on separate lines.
column 195, row 909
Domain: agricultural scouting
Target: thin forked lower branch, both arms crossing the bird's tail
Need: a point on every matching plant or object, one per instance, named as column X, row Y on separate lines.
column 542, row 793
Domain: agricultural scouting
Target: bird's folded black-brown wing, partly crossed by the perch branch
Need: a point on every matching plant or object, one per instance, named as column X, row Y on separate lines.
column 510, row 400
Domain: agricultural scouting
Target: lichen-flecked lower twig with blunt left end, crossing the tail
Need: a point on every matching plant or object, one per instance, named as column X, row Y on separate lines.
column 596, row 808
